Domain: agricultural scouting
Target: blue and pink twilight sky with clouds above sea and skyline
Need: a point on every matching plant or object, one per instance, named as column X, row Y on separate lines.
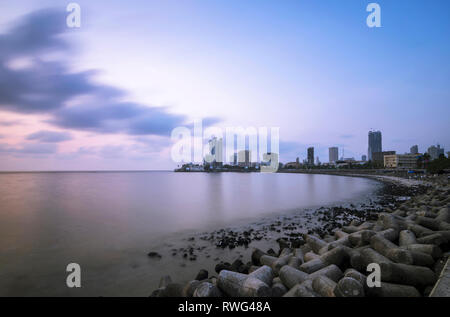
column 107, row 95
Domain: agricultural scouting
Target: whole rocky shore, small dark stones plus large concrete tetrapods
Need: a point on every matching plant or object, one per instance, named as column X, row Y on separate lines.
column 325, row 252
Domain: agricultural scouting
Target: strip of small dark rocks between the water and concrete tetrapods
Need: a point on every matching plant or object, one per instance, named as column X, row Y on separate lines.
column 290, row 231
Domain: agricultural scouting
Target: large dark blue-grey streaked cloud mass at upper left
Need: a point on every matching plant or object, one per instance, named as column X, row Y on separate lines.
column 48, row 87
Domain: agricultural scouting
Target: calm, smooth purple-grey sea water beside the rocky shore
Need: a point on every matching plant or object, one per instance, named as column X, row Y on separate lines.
column 108, row 221
